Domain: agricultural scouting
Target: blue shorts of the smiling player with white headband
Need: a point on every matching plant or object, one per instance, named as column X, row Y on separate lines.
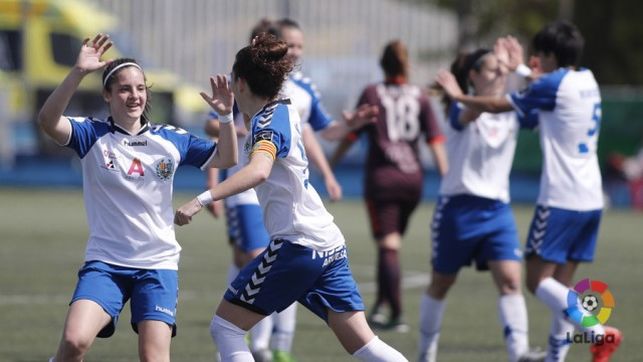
column 154, row 293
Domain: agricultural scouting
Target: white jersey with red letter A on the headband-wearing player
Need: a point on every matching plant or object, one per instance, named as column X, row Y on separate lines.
column 127, row 189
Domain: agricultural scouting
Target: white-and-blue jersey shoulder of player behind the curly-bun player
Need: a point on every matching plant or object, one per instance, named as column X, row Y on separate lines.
column 304, row 97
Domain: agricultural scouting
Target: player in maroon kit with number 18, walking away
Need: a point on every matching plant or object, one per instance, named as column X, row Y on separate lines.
column 393, row 180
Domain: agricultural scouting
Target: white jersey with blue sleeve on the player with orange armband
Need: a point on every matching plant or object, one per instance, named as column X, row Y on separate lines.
column 292, row 208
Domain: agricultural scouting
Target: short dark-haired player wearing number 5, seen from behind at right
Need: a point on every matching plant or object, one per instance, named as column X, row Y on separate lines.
column 565, row 102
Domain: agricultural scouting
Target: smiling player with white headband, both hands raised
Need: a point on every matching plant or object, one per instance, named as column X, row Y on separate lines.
column 128, row 166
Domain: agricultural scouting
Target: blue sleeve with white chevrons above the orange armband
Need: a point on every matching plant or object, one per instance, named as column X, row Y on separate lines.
column 274, row 127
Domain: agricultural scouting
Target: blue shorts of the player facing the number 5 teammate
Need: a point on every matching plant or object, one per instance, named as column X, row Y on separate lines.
column 467, row 228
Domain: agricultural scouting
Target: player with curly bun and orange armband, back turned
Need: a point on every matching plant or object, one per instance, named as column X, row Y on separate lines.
column 306, row 260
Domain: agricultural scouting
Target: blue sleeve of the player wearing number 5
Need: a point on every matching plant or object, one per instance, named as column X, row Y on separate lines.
column 540, row 95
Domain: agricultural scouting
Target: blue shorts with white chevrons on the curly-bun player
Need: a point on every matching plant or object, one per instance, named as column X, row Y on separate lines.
column 287, row 272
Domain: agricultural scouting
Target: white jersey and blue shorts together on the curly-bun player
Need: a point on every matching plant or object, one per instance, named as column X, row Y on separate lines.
column 306, row 259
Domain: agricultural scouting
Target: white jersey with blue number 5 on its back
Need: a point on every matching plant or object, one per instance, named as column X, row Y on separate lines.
column 567, row 106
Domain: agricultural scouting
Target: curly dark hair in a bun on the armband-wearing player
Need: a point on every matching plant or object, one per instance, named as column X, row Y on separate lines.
column 263, row 65
